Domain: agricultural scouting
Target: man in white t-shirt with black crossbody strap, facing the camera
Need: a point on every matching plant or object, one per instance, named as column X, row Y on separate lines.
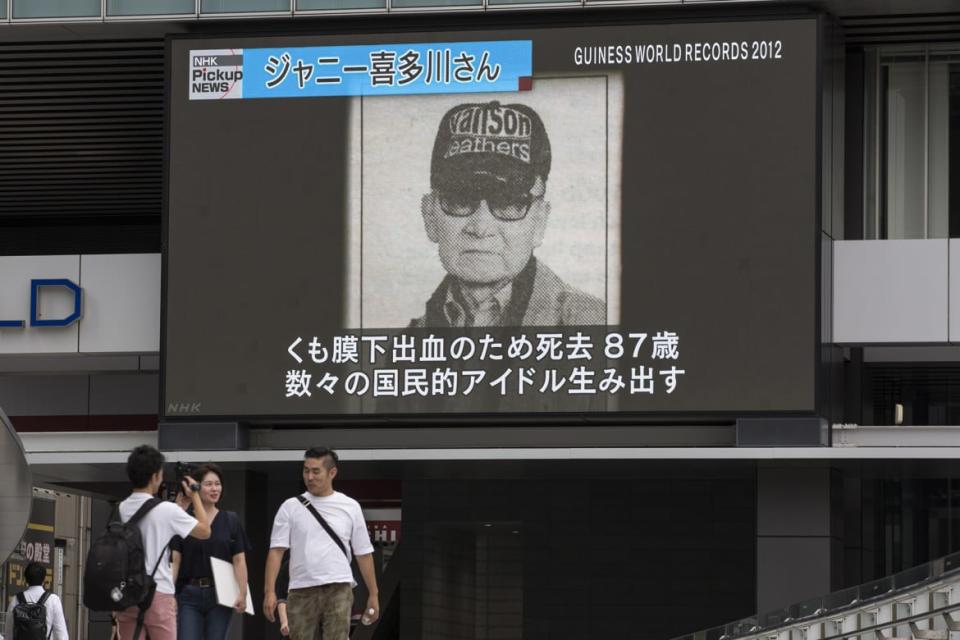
column 321, row 581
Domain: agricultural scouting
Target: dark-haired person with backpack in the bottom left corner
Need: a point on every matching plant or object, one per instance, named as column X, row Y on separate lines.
column 35, row 613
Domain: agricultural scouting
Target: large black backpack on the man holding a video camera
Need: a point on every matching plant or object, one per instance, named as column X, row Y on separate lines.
column 115, row 577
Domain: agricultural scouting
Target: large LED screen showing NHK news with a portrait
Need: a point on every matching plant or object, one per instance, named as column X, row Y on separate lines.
column 589, row 220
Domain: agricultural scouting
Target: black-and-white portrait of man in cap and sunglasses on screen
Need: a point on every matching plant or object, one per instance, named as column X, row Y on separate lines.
column 485, row 210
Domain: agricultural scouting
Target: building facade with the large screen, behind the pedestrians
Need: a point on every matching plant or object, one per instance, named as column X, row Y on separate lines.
column 718, row 375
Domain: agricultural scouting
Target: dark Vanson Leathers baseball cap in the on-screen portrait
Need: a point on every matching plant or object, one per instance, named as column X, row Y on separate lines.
column 504, row 146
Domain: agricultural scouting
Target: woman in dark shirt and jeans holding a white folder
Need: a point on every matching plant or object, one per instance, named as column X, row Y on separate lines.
column 199, row 616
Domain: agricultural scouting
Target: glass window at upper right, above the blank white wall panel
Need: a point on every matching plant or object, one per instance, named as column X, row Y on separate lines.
column 912, row 122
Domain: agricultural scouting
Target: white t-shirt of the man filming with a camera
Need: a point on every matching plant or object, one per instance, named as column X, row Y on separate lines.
column 157, row 528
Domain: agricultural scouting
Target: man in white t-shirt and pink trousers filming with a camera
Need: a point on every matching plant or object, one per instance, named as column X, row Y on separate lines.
column 145, row 470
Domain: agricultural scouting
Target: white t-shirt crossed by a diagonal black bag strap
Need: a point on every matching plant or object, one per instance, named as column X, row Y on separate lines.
column 315, row 559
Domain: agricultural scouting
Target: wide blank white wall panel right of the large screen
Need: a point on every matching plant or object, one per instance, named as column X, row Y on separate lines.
column 889, row 291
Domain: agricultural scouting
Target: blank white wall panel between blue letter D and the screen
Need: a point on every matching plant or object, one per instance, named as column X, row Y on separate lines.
column 123, row 303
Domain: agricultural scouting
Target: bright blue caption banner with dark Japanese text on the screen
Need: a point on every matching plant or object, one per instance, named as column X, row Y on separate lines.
column 387, row 70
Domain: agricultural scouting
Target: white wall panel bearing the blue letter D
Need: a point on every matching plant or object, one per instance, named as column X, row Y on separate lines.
column 15, row 275
